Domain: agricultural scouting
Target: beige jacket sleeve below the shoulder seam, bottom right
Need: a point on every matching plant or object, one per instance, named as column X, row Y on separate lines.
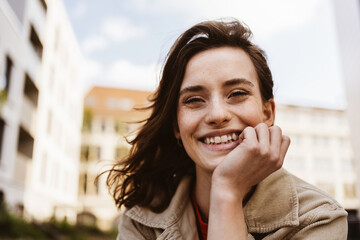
column 324, row 224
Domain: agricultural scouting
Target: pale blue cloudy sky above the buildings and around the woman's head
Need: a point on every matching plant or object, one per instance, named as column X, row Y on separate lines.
column 125, row 42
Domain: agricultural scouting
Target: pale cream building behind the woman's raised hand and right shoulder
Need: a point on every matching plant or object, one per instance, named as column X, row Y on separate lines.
column 320, row 151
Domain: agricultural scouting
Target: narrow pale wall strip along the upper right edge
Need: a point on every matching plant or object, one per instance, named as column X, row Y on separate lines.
column 347, row 19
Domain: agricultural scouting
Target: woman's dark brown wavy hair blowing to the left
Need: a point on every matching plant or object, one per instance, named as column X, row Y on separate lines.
column 156, row 163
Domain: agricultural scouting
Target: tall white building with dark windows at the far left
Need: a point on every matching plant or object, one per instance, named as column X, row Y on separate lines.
column 40, row 125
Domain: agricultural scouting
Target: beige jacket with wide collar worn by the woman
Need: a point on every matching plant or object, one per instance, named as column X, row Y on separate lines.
column 282, row 207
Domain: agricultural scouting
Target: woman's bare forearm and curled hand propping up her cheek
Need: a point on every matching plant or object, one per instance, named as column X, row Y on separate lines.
column 261, row 151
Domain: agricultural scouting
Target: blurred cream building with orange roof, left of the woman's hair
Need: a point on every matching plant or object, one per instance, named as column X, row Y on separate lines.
column 109, row 117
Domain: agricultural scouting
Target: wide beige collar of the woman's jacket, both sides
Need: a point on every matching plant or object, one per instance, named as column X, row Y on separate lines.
column 273, row 205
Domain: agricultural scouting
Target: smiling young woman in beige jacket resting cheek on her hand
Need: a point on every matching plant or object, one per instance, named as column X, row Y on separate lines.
column 207, row 162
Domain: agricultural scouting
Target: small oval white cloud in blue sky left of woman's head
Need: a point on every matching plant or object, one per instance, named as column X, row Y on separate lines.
column 120, row 29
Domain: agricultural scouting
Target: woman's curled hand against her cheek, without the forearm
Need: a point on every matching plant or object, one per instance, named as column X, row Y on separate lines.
column 261, row 151
